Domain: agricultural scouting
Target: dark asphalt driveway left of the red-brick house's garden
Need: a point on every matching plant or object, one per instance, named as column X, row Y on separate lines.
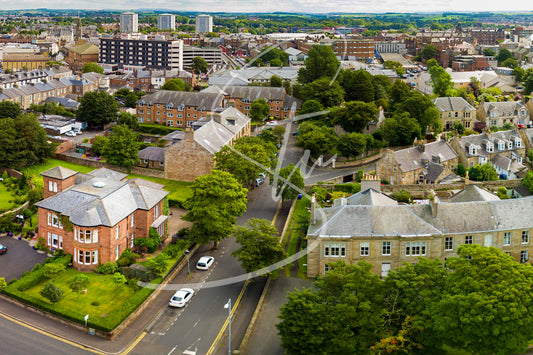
column 20, row 257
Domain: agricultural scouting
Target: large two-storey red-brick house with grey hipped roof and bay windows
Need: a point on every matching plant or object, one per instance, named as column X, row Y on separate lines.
column 104, row 213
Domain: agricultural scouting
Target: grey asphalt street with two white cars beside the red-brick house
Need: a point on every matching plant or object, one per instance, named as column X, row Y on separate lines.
column 193, row 329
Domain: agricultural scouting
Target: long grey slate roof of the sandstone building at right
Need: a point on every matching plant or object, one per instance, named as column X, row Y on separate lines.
column 412, row 220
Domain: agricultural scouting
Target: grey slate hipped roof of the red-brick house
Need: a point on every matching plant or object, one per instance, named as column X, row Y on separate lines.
column 101, row 198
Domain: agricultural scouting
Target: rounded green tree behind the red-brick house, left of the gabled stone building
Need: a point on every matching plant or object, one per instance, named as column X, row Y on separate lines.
column 122, row 147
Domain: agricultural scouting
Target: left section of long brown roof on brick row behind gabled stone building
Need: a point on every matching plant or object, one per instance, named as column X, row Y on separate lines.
column 208, row 101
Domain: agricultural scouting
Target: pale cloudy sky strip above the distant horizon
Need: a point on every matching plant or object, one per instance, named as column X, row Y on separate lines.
column 307, row 6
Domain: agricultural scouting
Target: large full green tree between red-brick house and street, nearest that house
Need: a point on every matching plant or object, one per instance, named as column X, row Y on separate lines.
column 218, row 198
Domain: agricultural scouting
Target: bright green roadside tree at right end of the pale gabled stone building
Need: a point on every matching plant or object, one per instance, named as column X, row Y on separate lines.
column 238, row 163
